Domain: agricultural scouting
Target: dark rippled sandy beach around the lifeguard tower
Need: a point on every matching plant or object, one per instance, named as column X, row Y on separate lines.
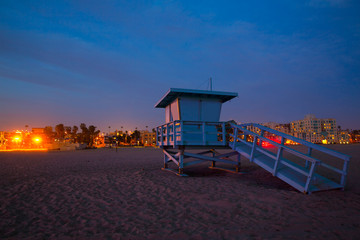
column 104, row 194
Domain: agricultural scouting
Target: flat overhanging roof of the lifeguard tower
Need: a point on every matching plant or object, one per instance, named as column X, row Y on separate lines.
column 174, row 93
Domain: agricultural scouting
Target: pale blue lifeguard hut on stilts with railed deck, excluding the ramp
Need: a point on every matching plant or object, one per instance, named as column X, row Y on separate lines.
column 192, row 122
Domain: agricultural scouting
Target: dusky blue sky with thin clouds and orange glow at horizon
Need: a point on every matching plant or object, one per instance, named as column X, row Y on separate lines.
column 107, row 63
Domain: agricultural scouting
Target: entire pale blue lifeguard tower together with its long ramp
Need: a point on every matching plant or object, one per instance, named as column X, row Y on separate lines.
column 192, row 121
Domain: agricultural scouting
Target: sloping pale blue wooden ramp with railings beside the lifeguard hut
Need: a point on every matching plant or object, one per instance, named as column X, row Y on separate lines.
column 303, row 178
